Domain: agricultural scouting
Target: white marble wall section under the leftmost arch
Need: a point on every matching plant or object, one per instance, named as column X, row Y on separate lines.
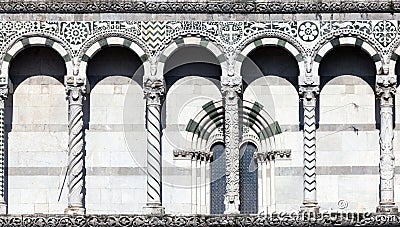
column 37, row 147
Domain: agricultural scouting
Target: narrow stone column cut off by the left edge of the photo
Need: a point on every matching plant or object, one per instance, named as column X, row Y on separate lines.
column 3, row 97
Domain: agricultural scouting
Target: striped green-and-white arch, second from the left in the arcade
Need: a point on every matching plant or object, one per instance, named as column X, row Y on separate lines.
column 95, row 45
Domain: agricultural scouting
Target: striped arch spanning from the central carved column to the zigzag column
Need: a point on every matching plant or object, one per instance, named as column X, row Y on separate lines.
column 269, row 41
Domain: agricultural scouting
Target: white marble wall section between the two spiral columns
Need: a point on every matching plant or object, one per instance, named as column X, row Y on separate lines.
column 115, row 145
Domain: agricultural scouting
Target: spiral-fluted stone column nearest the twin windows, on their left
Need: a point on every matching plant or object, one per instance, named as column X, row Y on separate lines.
column 153, row 94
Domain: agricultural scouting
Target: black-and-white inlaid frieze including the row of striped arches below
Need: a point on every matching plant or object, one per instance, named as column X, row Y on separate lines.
column 230, row 41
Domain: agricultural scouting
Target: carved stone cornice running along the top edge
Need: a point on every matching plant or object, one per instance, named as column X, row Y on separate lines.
column 132, row 6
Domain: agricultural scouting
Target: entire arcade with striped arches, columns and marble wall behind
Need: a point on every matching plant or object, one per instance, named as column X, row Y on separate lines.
column 115, row 124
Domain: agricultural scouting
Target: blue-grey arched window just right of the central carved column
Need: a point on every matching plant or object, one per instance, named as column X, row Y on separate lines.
column 248, row 179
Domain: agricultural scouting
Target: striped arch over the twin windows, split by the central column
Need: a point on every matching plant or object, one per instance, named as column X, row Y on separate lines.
column 203, row 128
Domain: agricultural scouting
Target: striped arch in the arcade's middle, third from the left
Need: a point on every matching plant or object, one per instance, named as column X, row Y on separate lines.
column 191, row 41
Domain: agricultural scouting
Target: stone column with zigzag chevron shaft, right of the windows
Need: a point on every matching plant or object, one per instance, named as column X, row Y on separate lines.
column 308, row 96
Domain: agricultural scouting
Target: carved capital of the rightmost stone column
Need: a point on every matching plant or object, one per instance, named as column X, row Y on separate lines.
column 386, row 89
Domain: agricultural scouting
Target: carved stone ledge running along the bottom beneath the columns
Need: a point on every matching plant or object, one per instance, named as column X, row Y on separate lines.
column 282, row 219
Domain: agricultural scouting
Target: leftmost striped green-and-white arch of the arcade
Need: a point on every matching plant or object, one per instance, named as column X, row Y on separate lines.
column 33, row 40
